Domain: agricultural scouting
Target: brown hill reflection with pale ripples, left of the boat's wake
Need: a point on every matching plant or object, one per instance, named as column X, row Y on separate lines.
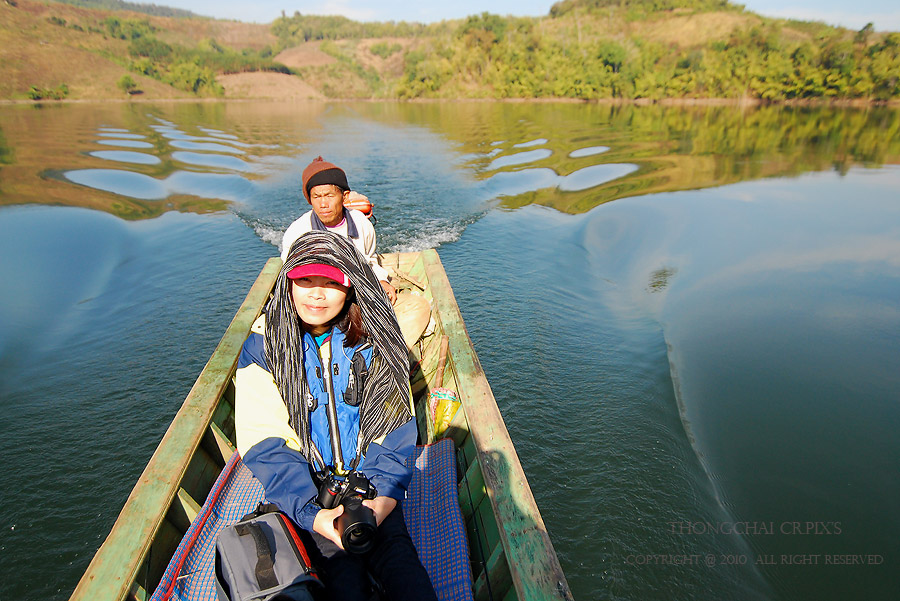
column 190, row 165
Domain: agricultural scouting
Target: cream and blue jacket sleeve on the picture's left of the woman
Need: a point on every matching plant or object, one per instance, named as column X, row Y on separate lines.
column 268, row 445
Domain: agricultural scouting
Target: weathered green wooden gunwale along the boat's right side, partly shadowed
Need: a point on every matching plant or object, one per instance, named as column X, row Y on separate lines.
column 533, row 563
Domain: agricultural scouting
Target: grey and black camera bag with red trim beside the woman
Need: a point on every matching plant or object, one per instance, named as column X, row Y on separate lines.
column 262, row 558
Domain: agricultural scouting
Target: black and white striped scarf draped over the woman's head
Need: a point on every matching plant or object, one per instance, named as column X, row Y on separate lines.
column 387, row 400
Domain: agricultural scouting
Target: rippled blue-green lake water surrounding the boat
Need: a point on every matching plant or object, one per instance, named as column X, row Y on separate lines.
column 690, row 317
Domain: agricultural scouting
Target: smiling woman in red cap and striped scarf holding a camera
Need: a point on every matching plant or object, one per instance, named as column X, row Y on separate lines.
column 322, row 390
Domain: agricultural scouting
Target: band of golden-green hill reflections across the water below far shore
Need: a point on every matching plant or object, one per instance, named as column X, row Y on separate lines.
column 597, row 153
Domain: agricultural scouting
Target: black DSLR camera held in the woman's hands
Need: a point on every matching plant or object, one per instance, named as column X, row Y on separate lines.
column 357, row 524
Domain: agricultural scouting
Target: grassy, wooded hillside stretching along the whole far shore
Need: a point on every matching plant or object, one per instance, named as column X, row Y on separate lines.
column 584, row 49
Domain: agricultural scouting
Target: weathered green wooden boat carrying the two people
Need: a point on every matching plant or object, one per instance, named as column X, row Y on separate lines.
column 511, row 554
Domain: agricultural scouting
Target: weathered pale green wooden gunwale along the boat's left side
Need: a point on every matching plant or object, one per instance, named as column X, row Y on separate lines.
column 115, row 567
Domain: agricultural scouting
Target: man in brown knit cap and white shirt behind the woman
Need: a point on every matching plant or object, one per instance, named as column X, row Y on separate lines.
column 326, row 188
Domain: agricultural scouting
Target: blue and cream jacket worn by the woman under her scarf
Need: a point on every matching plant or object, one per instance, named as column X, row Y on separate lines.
column 270, row 447
